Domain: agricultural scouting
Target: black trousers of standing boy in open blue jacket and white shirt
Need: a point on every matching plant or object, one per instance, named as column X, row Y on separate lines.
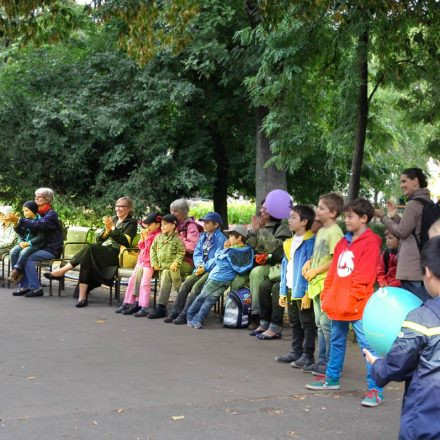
column 303, row 329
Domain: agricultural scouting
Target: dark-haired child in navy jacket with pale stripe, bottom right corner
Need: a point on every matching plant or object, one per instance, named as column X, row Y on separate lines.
column 415, row 357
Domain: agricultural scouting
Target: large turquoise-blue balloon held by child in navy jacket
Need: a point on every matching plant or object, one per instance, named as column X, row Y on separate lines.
column 384, row 314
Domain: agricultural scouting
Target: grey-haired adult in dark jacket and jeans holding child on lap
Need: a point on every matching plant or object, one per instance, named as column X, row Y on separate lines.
column 49, row 224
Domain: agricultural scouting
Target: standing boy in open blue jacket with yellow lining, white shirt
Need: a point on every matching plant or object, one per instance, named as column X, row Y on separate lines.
column 298, row 250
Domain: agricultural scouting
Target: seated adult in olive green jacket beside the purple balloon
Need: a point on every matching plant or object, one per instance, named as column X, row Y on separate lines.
column 266, row 238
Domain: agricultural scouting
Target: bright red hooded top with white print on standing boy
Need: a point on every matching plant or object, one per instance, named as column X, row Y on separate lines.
column 350, row 280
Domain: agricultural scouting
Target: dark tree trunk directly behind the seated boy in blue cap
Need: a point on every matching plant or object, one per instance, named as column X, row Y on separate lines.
column 220, row 190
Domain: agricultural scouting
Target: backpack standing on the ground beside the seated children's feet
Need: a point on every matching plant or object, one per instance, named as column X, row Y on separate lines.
column 237, row 308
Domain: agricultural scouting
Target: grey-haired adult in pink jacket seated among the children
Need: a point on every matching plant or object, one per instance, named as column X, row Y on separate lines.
column 189, row 233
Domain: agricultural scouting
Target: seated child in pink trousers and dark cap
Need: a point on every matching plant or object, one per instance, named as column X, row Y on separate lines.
column 139, row 284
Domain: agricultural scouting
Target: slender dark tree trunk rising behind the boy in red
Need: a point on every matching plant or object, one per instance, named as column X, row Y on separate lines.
column 358, row 153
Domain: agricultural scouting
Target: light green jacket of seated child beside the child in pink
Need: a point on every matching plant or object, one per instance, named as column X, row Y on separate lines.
column 167, row 249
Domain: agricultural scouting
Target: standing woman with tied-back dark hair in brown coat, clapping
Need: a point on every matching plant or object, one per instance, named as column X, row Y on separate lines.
column 407, row 228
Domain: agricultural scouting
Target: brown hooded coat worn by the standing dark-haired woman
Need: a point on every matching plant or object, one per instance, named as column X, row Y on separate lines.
column 408, row 258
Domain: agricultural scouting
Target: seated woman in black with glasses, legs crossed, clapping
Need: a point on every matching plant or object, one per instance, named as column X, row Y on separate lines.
column 99, row 262
